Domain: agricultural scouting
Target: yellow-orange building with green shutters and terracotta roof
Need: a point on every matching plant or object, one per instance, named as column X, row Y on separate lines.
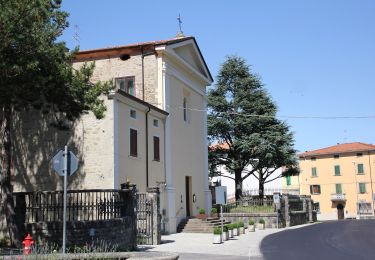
column 339, row 179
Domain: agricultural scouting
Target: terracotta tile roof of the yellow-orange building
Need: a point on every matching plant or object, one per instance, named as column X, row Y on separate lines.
column 340, row 148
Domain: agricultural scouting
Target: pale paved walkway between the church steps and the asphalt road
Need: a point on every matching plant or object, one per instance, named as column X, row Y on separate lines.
column 191, row 245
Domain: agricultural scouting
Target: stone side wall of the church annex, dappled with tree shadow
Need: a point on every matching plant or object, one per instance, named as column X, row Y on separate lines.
column 36, row 141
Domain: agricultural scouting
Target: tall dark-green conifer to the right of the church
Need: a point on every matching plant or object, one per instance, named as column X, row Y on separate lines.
column 242, row 118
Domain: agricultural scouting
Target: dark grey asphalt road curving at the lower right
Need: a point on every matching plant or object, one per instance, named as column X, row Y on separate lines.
column 341, row 240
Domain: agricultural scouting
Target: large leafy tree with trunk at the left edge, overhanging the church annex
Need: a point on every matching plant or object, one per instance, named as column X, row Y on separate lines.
column 36, row 72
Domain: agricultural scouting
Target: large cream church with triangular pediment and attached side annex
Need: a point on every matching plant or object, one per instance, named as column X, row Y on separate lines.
column 154, row 132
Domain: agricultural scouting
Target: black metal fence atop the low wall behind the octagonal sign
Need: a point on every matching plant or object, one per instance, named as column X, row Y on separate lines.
column 82, row 205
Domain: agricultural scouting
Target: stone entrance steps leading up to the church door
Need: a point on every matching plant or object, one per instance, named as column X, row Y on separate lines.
column 195, row 225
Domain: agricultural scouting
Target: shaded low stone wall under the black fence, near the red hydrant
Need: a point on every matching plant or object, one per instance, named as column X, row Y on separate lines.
column 120, row 232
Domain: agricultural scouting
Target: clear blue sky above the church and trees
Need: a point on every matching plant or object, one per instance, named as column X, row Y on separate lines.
column 316, row 58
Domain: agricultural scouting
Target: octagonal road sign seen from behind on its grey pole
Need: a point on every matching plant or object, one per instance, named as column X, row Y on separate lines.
column 65, row 163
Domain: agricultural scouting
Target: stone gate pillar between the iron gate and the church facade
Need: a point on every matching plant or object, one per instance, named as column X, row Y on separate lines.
column 154, row 194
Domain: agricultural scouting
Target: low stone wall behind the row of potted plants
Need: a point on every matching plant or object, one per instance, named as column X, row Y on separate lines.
column 269, row 218
